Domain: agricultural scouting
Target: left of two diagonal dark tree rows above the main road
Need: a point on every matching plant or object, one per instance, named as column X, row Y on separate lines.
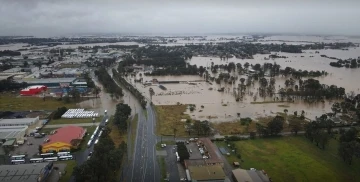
column 108, row 83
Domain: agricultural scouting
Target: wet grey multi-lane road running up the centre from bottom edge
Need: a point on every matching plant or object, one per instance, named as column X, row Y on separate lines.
column 142, row 166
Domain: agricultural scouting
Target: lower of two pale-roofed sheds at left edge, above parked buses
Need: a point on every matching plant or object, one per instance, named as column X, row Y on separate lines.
column 12, row 132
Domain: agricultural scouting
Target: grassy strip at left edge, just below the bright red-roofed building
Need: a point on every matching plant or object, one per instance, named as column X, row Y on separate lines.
column 11, row 102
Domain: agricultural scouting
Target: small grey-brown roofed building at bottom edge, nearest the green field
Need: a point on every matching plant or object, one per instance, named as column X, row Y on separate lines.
column 241, row 175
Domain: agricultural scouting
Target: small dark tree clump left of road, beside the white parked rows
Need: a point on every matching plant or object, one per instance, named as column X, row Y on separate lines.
column 122, row 114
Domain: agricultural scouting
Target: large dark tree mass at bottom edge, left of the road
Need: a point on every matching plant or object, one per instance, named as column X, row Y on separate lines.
column 104, row 163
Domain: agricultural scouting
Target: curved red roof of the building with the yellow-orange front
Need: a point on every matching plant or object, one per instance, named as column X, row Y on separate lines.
column 66, row 134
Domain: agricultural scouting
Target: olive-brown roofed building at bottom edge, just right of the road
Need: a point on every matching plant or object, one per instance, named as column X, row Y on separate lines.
column 213, row 173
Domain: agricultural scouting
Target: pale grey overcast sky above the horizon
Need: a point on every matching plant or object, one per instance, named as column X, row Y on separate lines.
column 64, row 17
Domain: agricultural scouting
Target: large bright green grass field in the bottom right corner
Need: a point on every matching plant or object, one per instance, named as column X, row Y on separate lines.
column 295, row 159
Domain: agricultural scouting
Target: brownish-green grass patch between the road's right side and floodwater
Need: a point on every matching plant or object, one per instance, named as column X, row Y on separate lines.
column 169, row 117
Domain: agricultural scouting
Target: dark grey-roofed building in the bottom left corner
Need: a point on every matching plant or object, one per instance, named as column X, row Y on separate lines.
column 26, row 172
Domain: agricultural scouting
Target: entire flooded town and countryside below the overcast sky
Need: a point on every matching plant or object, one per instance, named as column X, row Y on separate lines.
column 224, row 108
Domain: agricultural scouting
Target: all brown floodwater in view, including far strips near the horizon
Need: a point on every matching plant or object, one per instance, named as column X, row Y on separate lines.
column 221, row 106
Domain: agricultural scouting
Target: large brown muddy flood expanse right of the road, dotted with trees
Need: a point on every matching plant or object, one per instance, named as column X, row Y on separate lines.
column 221, row 106
